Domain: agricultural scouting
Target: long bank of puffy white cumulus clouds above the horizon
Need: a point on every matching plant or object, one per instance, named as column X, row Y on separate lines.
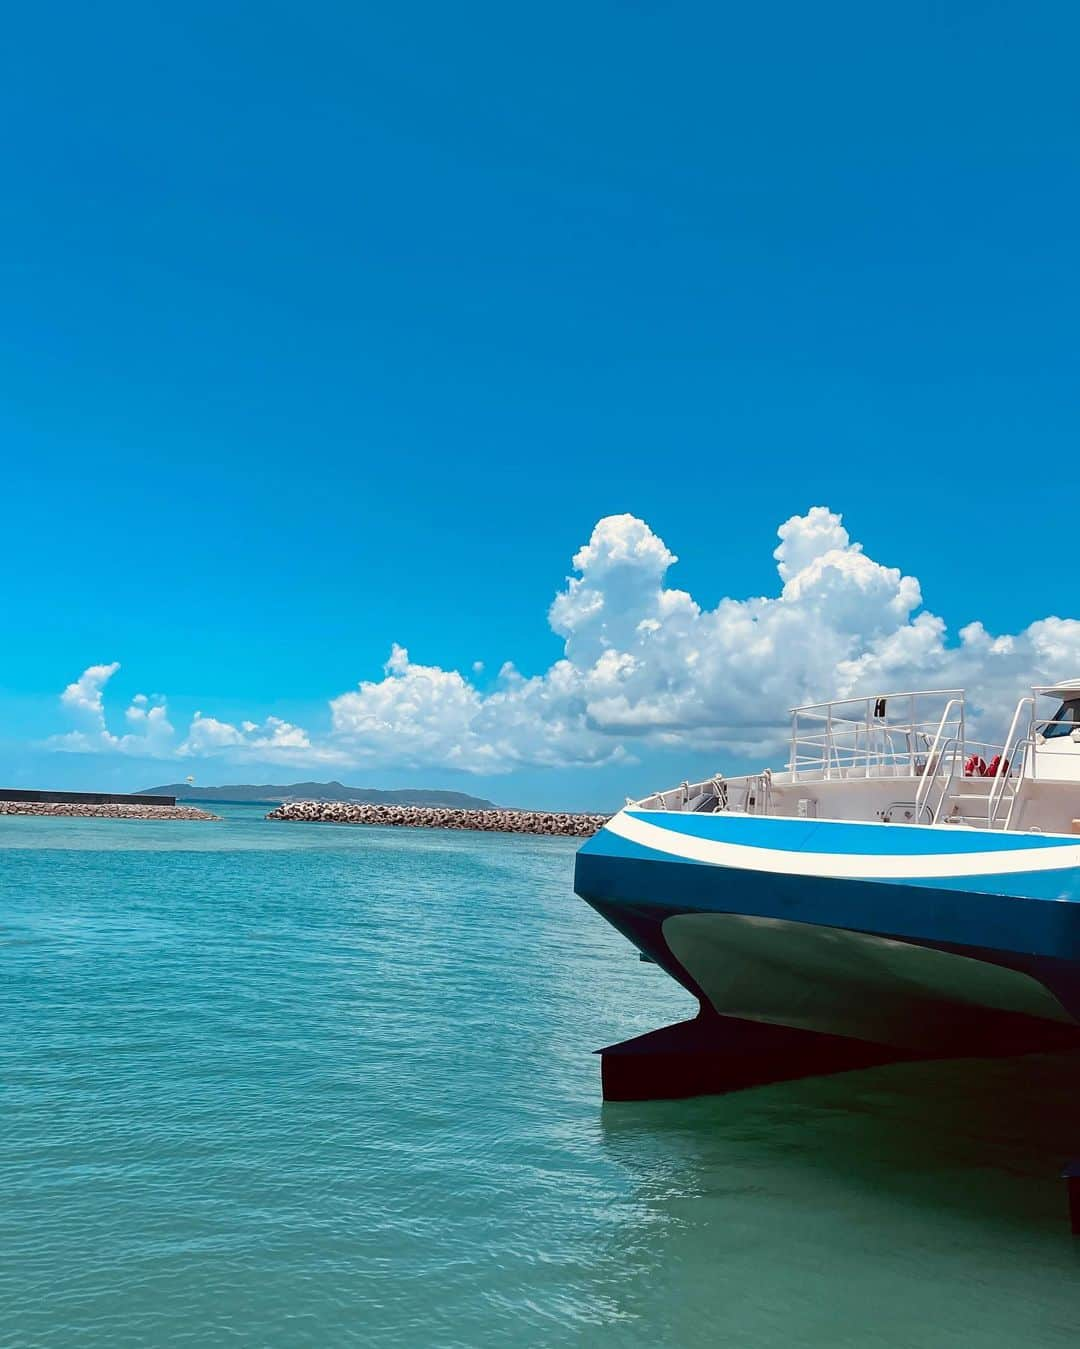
column 644, row 664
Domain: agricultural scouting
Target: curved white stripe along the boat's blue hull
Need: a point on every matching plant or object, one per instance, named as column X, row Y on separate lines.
column 842, row 865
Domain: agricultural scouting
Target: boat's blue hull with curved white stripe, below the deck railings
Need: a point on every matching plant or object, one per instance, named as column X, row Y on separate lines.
column 916, row 937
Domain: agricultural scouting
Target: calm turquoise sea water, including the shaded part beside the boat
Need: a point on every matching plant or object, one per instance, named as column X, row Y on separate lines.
column 300, row 1085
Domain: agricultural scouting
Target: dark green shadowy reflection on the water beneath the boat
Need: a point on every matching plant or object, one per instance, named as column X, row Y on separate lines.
column 932, row 1186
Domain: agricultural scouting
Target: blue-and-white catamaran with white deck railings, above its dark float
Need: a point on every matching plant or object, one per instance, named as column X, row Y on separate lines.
column 899, row 884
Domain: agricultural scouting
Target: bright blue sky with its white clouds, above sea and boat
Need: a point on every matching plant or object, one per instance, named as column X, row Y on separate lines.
column 328, row 328
